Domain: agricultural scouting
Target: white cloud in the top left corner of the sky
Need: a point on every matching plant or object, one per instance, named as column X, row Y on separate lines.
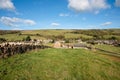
column 7, row 4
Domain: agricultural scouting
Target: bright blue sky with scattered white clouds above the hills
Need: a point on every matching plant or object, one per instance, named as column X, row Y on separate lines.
column 59, row 14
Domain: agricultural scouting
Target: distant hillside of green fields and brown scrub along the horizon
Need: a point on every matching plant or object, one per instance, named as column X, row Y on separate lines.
column 66, row 34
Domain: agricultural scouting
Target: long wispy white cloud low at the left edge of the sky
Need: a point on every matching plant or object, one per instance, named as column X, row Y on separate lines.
column 15, row 22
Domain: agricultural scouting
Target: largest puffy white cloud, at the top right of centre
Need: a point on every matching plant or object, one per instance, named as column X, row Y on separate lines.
column 88, row 5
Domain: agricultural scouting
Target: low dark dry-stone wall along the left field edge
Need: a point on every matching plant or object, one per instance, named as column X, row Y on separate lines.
column 9, row 50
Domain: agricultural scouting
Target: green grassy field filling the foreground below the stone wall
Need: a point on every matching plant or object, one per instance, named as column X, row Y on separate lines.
column 59, row 64
